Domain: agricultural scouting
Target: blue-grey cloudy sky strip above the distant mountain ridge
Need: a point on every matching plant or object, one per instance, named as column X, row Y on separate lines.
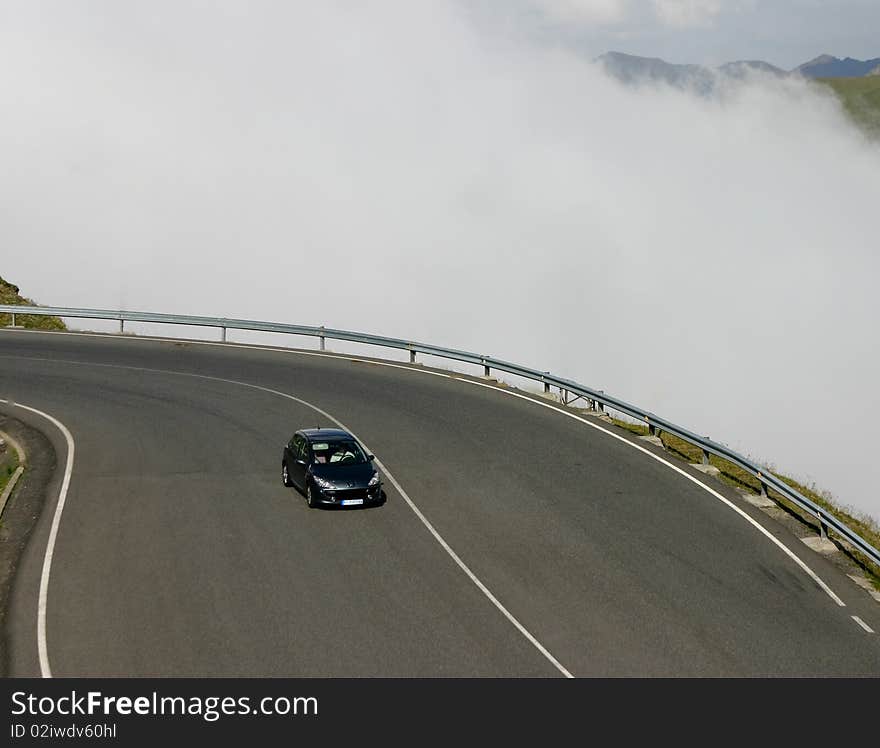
column 785, row 33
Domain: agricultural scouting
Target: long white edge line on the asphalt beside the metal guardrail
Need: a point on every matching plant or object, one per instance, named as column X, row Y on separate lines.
column 787, row 551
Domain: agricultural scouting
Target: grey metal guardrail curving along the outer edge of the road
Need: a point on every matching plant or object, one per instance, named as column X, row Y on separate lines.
column 597, row 399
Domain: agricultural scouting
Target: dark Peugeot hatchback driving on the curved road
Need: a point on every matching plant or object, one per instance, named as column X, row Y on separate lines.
column 331, row 468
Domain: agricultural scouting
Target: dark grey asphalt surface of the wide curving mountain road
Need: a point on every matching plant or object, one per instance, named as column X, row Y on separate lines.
column 180, row 553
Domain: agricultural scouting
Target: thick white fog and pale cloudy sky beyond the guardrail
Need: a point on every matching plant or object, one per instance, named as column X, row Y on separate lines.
column 460, row 174
